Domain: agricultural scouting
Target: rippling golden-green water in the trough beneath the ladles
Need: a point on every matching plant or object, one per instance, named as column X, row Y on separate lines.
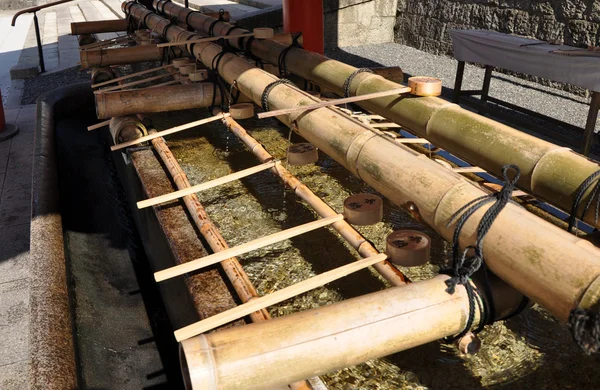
column 530, row 351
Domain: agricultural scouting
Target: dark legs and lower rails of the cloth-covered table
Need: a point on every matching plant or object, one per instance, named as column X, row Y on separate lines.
column 482, row 106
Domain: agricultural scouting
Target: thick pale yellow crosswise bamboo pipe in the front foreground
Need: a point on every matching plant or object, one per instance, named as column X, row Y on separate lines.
column 270, row 354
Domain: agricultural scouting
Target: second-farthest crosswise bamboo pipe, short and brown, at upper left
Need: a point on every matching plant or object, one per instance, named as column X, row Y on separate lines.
column 119, row 56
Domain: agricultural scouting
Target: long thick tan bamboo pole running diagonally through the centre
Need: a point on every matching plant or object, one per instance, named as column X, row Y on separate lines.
column 545, row 263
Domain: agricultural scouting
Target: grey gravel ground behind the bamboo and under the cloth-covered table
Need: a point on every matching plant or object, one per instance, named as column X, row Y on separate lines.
column 552, row 102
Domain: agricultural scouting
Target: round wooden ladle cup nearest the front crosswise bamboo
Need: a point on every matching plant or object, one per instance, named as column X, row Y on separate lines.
column 408, row 248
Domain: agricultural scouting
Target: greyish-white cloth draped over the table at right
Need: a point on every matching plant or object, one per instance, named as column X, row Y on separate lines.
column 516, row 53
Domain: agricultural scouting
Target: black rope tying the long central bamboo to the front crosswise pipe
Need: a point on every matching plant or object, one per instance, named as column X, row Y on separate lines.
column 464, row 267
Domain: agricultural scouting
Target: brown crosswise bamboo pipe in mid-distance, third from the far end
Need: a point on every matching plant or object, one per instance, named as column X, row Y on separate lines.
column 160, row 99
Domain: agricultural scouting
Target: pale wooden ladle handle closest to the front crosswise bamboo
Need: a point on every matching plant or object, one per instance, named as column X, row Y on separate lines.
column 276, row 297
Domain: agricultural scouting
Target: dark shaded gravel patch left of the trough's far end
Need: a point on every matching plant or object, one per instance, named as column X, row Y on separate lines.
column 48, row 81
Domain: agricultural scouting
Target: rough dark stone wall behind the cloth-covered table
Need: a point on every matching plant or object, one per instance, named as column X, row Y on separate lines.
column 424, row 24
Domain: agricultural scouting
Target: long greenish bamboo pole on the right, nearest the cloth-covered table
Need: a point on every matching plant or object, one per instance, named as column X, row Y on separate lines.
column 550, row 172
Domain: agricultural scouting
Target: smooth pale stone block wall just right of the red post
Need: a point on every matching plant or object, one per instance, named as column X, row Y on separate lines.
column 359, row 22
